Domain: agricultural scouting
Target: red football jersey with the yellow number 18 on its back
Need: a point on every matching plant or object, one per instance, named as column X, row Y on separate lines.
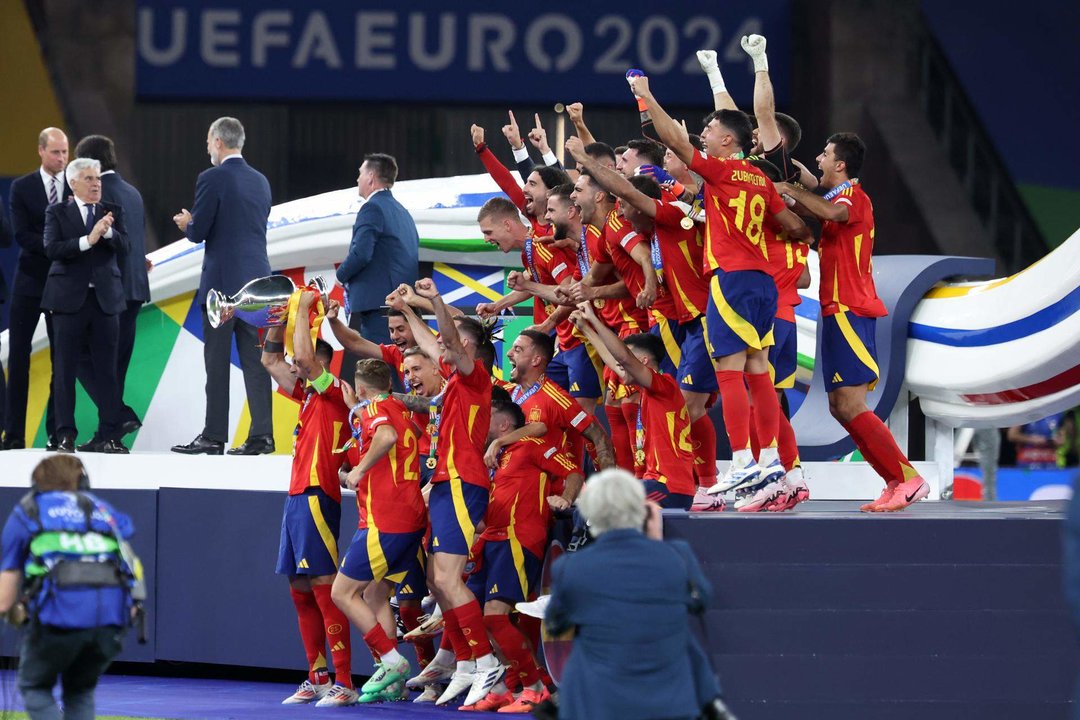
column 738, row 200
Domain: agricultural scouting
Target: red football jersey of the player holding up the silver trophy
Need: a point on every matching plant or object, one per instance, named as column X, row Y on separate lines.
column 322, row 429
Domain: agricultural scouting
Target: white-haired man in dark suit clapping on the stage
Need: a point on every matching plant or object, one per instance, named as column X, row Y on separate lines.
column 85, row 294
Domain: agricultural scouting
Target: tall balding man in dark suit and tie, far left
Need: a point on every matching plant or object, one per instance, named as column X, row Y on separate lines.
column 30, row 197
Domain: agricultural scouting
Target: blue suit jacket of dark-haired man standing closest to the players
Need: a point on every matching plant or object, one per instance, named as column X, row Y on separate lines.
column 384, row 254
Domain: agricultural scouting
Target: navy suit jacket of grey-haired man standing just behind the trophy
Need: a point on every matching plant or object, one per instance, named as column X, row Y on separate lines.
column 233, row 205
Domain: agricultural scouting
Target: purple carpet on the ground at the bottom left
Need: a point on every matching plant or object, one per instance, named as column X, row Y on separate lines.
column 226, row 700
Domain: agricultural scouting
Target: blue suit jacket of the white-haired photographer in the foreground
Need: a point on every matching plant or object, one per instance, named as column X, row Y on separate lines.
column 629, row 599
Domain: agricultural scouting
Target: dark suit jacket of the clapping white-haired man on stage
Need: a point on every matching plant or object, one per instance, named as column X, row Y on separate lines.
column 73, row 269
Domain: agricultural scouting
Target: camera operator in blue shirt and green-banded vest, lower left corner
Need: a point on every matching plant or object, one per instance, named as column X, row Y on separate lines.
column 70, row 576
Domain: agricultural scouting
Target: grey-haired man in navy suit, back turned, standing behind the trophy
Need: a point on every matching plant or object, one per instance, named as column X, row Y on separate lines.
column 233, row 205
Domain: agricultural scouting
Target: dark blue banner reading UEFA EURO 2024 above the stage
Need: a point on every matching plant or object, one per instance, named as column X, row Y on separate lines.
column 468, row 51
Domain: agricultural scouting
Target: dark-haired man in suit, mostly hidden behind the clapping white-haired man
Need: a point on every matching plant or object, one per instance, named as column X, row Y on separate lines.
column 133, row 273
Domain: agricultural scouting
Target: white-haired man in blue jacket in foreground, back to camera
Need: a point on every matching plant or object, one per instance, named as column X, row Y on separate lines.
column 599, row 592
